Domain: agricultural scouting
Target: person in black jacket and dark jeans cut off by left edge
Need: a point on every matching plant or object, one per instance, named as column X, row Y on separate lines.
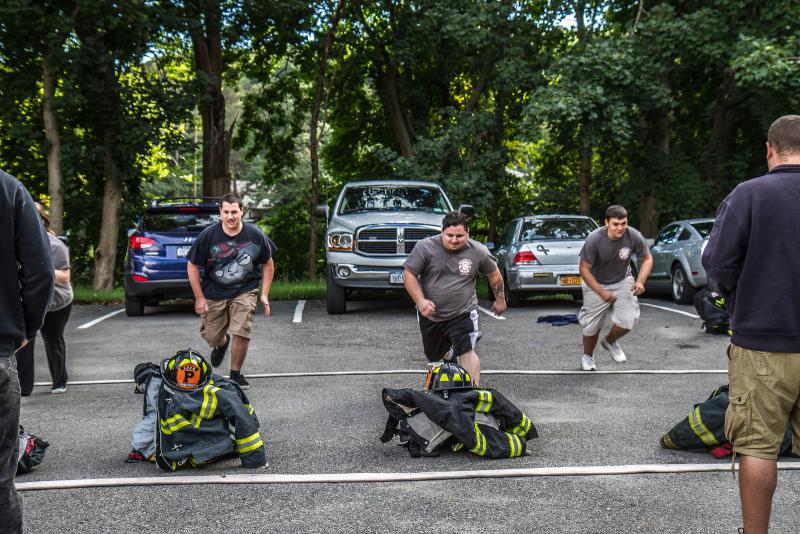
column 26, row 288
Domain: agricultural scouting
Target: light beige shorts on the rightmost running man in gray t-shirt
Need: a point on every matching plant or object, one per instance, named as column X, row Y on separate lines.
column 624, row 311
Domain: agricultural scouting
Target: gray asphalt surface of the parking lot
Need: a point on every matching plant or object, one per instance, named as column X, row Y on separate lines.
column 331, row 425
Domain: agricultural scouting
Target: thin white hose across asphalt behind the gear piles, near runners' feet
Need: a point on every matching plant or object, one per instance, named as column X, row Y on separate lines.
column 521, row 372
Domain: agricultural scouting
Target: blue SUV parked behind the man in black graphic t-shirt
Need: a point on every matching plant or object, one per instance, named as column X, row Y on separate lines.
column 155, row 265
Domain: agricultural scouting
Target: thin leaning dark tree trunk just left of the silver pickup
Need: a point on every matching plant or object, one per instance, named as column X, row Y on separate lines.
column 314, row 140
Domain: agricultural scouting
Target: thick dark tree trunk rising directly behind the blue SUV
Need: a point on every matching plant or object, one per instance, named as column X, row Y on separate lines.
column 205, row 27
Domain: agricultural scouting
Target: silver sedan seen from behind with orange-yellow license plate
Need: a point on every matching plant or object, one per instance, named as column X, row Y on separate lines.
column 540, row 253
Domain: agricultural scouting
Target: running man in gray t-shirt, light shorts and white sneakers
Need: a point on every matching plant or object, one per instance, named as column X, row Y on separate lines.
column 608, row 287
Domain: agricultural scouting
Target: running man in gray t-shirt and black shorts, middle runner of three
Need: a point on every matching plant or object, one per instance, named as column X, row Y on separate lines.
column 440, row 277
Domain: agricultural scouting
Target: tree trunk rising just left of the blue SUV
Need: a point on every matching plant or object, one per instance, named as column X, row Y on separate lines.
column 105, row 254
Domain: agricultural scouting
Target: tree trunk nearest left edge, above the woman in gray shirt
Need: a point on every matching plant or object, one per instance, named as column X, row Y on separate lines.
column 53, row 146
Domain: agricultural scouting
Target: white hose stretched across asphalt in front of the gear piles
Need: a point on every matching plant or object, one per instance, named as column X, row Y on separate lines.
column 333, row 478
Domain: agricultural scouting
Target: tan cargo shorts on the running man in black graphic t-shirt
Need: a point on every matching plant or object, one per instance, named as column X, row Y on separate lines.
column 232, row 315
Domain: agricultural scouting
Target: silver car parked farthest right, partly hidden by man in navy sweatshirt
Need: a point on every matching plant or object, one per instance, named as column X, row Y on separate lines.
column 677, row 251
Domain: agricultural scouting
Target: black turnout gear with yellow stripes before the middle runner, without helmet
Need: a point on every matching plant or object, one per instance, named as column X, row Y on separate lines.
column 482, row 421
